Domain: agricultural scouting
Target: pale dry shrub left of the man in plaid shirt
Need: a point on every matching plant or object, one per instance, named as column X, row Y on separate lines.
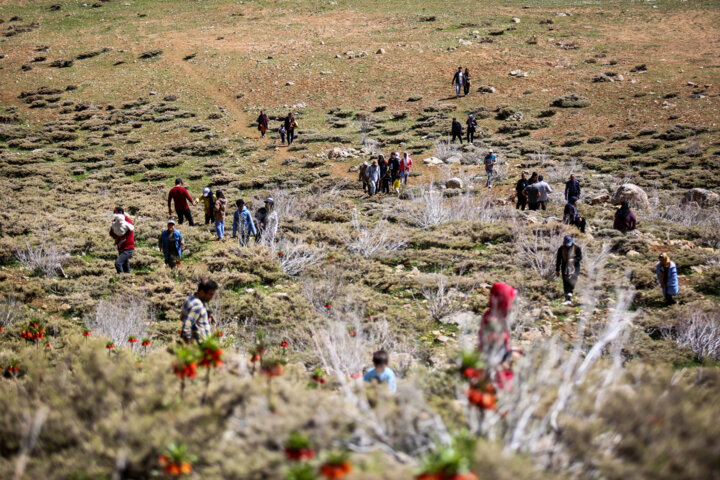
column 119, row 317
